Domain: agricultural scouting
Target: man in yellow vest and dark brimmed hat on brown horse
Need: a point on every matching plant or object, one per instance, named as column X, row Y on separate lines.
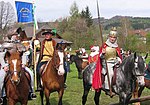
column 46, row 53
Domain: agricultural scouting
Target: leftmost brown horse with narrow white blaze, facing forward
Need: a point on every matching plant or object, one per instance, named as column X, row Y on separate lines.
column 16, row 82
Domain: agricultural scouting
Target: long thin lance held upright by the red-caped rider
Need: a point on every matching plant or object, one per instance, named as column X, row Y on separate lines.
column 100, row 28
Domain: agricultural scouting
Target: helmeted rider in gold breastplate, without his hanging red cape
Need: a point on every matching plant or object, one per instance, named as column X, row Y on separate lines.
column 109, row 52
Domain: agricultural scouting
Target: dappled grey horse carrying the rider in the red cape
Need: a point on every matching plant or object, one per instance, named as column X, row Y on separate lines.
column 129, row 71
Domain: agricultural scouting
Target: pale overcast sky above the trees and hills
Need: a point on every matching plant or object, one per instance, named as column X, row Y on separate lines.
column 50, row 10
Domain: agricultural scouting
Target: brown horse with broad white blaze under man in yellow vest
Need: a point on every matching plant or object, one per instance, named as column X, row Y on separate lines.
column 53, row 78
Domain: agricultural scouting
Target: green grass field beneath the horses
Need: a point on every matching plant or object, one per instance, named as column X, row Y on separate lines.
column 73, row 94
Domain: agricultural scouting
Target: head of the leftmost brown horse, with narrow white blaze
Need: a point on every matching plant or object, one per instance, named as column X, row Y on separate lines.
column 14, row 61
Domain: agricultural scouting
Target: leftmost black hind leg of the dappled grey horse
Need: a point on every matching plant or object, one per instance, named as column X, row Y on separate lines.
column 85, row 94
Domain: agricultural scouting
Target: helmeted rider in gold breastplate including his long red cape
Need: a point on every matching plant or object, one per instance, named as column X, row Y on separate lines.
column 111, row 52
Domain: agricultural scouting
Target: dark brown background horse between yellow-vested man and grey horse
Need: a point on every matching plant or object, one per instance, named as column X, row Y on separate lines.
column 80, row 64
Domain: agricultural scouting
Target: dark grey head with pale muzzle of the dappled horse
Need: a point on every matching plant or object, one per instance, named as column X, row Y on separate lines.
column 139, row 68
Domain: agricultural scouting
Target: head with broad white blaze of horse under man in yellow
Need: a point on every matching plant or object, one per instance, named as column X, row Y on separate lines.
column 58, row 60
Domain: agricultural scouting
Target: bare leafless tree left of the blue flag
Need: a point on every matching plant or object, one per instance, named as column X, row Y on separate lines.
column 7, row 16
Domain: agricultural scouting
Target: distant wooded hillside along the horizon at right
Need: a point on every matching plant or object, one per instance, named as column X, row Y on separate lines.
column 136, row 22
